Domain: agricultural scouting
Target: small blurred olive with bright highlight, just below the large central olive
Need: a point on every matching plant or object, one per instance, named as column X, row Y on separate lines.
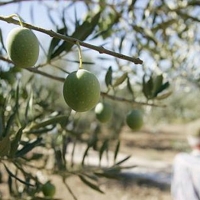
column 103, row 112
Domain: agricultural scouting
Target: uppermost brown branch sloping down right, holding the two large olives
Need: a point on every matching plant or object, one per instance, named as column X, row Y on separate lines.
column 72, row 40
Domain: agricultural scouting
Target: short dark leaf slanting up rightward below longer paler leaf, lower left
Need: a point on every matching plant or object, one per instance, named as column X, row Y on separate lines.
column 28, row 147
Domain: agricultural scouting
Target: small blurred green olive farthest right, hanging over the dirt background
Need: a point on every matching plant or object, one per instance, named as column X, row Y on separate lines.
column 134, row 119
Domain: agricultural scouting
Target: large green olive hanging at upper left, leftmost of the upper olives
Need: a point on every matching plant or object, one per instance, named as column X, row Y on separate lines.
column 22, row 47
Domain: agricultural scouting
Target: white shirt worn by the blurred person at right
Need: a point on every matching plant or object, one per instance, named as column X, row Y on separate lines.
column 185, row 183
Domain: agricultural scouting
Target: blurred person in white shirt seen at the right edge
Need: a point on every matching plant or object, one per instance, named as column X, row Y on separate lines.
column 185, row 183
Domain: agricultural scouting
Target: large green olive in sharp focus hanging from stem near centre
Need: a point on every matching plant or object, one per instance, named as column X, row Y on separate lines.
column 81, row 90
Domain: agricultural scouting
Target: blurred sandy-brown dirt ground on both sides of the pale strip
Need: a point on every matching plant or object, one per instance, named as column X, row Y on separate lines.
column 152, row 144
